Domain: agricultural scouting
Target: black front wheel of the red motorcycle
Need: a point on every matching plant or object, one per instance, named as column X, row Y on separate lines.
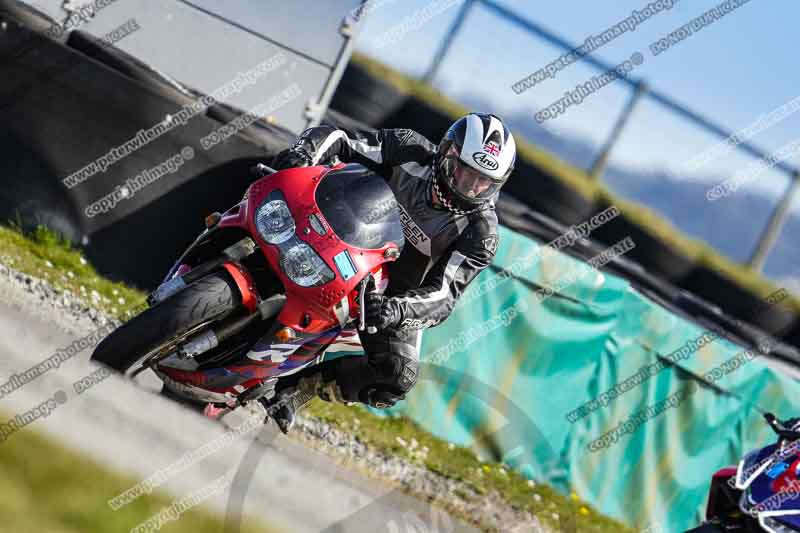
column 208, row 298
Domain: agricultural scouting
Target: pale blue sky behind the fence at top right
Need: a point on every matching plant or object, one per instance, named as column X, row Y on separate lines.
column 732, row 71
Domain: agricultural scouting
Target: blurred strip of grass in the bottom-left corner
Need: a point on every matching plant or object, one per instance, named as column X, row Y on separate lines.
column 46, row 487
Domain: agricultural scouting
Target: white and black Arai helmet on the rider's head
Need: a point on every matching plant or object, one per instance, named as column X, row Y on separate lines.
column 474, row 159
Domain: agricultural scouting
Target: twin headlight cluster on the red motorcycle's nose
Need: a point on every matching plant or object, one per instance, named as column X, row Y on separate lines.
column 298, row 260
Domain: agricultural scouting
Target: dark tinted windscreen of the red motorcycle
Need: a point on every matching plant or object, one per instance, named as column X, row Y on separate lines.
column 360, row 207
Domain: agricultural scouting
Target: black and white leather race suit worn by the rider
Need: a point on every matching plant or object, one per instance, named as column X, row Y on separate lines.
column 444, row 252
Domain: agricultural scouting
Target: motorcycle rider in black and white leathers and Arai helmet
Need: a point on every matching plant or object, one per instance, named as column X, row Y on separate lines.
column 446, row 197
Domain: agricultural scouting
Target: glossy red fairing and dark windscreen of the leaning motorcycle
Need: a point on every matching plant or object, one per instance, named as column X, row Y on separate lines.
column 345, row 212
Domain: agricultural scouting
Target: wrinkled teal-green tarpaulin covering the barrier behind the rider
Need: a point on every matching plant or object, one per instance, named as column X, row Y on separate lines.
column 510, row 367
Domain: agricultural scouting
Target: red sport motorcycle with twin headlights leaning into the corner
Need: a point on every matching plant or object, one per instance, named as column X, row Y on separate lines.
column 266, row 288
